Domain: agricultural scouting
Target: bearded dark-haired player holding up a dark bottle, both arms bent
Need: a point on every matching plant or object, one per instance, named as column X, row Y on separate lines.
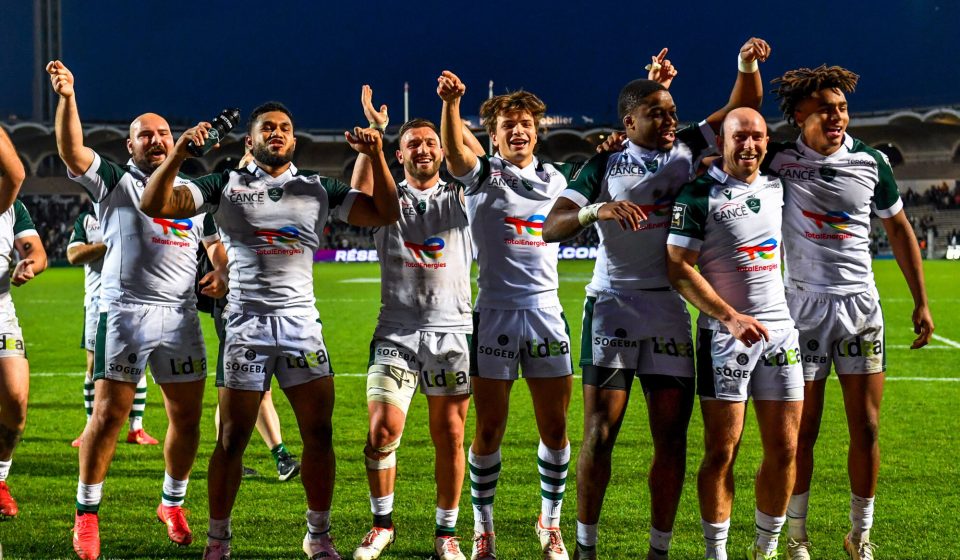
column 271, row 216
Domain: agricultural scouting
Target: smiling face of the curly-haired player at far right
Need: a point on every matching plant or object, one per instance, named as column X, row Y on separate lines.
column 823, row 120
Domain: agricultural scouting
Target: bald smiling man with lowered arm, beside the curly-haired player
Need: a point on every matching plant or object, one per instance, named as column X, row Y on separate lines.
column 728, row 223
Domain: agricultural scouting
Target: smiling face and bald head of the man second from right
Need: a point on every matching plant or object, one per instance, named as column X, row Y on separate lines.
column 743, row 143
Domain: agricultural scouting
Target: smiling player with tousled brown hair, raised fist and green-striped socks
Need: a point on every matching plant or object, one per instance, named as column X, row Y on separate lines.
column 518, row 321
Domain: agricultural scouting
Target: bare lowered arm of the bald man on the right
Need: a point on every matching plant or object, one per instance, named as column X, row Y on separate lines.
column 694, row 288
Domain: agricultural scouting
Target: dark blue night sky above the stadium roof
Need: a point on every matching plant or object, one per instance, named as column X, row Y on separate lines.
column 189, row 60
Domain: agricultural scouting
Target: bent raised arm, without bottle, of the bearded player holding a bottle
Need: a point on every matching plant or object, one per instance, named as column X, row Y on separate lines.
column 382, row 207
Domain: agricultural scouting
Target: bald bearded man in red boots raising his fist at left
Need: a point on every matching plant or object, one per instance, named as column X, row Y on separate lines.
column 148, row 312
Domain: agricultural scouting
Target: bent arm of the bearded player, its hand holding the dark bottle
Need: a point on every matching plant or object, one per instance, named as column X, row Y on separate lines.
column 161, row 199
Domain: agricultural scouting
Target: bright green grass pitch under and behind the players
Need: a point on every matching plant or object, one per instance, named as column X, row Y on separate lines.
column 917, row 495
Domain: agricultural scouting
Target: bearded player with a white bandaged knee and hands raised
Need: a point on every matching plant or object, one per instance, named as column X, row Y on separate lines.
column 422, row 333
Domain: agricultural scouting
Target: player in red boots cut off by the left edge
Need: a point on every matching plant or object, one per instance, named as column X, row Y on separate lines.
column 18, row 233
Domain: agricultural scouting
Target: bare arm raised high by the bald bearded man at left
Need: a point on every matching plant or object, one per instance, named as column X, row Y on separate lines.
column 74, row 154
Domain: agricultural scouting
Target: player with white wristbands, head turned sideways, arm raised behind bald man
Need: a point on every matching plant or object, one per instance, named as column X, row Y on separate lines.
column 634, row 323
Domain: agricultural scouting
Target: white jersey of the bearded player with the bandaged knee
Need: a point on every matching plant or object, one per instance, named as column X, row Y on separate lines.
column 425, row 261
